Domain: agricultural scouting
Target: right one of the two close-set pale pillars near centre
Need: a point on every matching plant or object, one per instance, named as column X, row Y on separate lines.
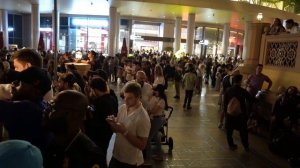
column 190, row 34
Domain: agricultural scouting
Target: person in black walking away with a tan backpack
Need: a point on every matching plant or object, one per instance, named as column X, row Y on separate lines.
column 236, row 113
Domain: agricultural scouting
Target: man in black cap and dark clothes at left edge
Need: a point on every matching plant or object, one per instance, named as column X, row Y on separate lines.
column 22, row 117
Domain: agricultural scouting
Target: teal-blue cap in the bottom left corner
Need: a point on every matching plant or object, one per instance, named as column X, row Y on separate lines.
column 19, row 153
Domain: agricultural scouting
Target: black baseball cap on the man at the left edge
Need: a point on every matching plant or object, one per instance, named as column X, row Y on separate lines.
column 37, row 77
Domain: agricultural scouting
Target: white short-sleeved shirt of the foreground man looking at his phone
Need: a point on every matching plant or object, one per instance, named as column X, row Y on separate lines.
column 137, row 124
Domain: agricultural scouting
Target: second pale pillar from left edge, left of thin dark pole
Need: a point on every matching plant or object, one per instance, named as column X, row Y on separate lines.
column 35, row 25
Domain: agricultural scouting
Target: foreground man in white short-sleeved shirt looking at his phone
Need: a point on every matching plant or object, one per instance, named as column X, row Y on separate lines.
column 132, row 126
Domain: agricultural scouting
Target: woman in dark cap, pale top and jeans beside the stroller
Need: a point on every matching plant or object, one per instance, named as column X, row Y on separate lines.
column 158, row 103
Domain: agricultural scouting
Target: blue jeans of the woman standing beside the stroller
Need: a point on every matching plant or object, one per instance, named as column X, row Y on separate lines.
column 156, row 124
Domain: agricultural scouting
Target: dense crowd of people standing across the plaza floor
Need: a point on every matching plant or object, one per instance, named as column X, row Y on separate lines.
column 72, row 118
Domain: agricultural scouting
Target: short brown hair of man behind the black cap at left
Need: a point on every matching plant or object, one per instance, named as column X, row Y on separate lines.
column 29, row 56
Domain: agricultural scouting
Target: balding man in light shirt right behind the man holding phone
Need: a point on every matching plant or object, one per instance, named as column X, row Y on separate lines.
column 146, row 88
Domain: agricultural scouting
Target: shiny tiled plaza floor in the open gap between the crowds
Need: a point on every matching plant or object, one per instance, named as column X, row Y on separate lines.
column 198, row 143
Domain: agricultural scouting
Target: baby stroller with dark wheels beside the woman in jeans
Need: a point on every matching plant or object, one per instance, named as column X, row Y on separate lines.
column 165, row 140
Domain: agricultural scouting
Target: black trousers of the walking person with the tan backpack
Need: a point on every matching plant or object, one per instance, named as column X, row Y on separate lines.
column 240, row 124
